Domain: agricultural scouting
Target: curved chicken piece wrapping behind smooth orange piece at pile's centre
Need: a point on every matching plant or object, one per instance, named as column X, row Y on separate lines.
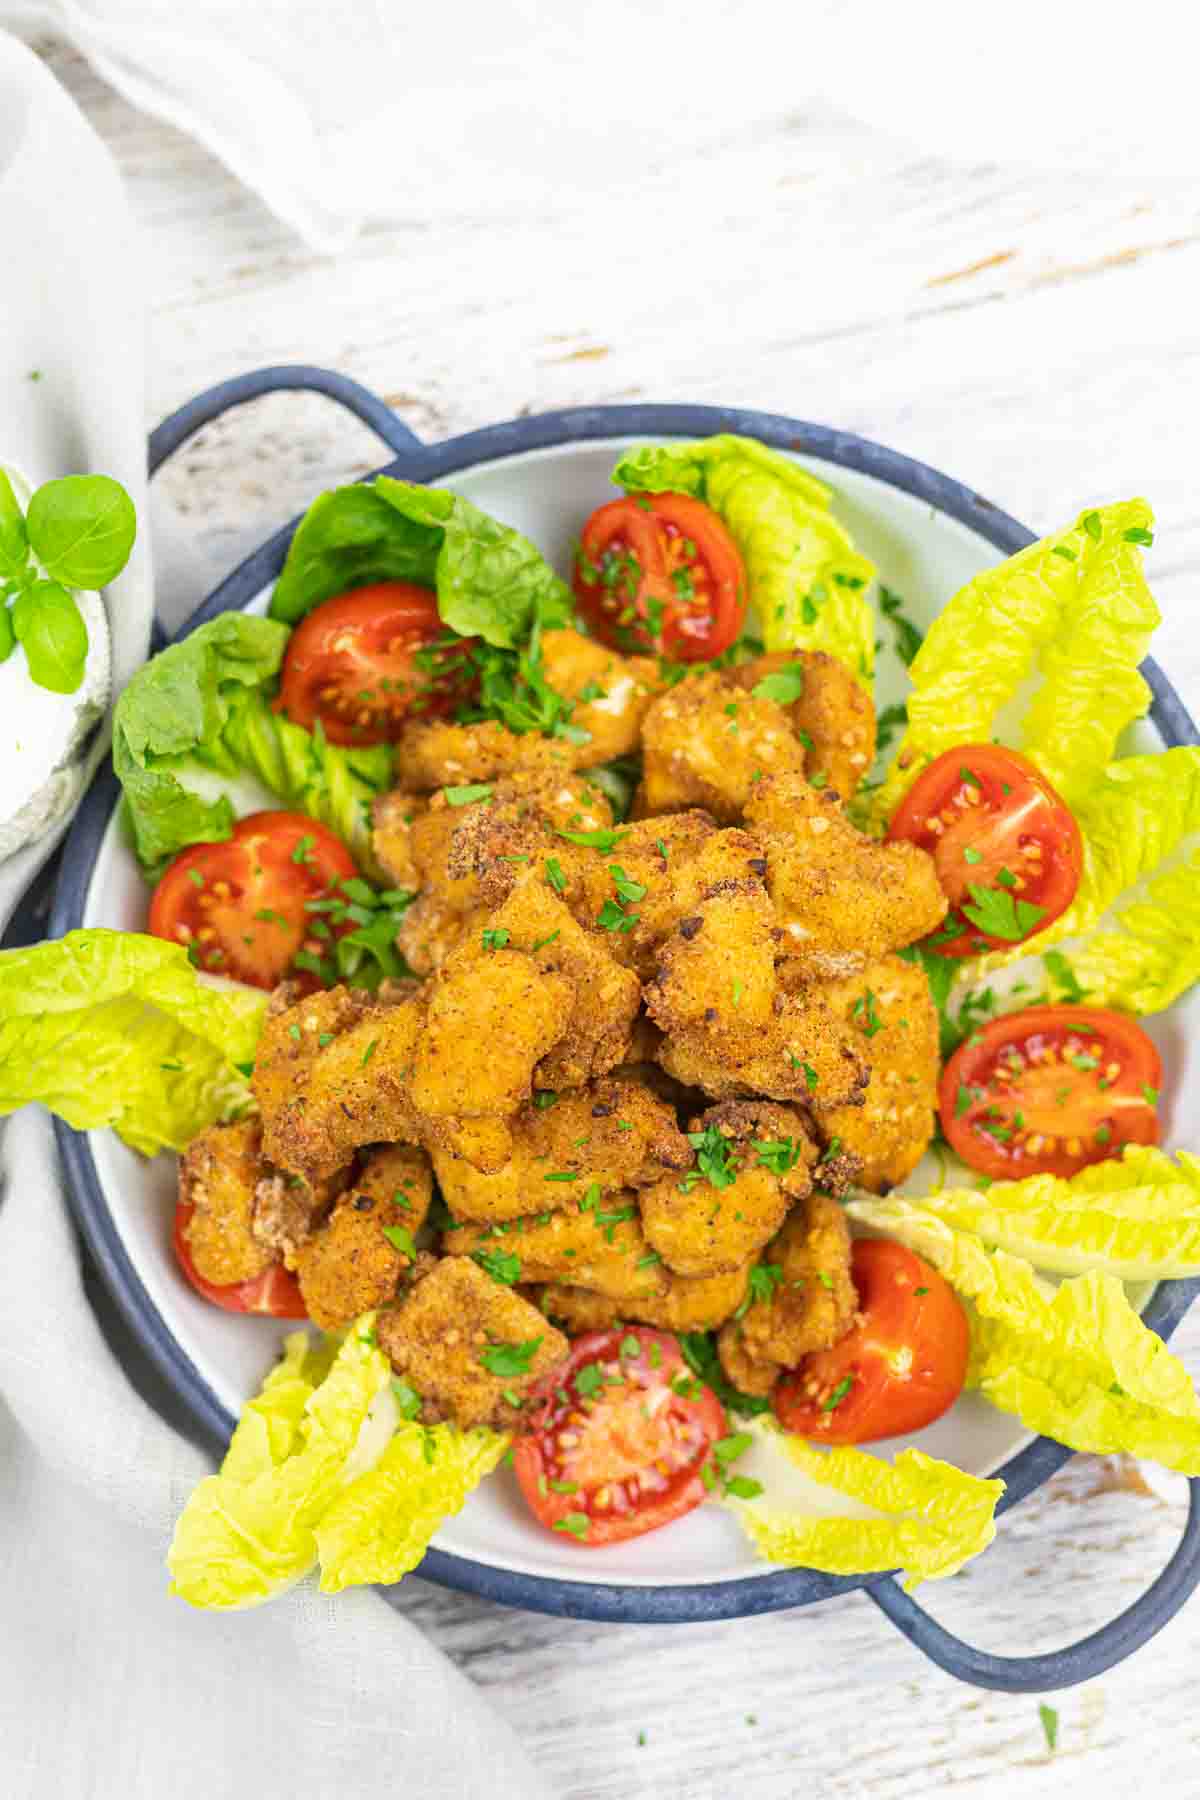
column 605, row 996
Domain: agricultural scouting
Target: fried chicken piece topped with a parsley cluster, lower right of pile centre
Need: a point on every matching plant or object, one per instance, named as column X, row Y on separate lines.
column 757, row 1158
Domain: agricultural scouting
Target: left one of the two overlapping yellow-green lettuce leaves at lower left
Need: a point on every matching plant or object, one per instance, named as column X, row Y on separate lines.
column 249, row 1531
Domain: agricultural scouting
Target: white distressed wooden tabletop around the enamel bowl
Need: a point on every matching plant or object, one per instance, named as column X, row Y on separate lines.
column 1035, row 336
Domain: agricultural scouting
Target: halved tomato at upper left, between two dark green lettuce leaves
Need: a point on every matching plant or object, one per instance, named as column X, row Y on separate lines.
column 370, row 661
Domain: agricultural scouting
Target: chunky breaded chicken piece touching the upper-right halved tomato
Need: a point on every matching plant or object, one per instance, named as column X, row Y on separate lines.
column 841, row 899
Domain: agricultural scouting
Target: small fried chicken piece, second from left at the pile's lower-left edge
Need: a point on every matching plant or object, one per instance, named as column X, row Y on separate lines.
column 354, row 1266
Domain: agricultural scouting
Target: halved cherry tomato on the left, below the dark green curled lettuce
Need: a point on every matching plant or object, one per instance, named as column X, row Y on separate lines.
column 242, row 906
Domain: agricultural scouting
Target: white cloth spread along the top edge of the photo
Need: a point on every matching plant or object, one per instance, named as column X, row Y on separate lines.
column 337, row 112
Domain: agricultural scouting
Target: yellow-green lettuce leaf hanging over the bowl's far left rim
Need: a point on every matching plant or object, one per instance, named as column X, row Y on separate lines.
column 118, row 1029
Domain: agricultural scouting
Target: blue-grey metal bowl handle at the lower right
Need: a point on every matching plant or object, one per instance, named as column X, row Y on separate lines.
column 1079, row 1662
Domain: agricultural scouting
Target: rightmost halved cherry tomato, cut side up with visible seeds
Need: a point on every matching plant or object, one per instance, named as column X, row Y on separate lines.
column 1050, row 1090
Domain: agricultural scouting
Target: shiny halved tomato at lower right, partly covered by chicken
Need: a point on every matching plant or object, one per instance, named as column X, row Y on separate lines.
column 893, row 1374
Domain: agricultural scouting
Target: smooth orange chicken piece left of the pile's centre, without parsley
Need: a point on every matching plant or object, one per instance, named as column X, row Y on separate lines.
column 494, row 1014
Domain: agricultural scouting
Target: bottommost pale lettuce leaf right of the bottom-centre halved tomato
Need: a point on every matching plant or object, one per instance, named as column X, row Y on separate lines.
column 917, row 1515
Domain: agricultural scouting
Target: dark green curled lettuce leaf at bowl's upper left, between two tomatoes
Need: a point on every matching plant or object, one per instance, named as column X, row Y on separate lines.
column 202, row 710
